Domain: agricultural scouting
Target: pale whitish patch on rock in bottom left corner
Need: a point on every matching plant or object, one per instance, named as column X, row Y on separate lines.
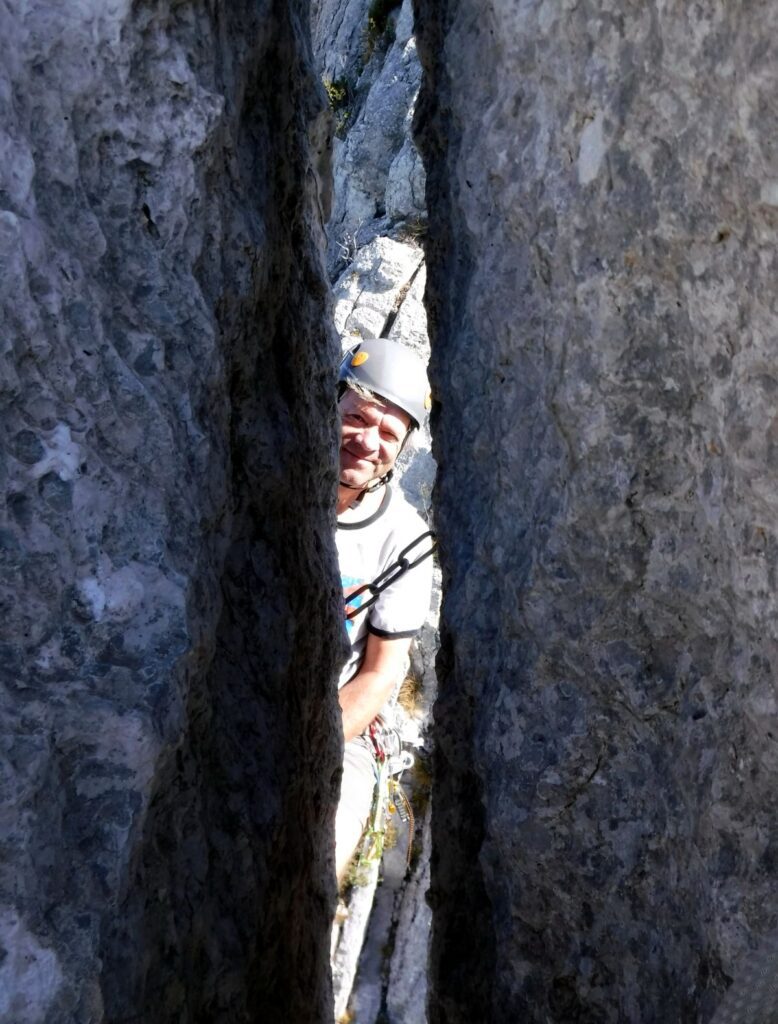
column 30, row 973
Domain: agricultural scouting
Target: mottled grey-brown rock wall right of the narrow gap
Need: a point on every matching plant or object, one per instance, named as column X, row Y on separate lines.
column 603, row 202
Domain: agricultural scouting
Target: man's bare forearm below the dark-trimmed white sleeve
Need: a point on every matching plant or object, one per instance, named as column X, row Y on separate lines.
column 364, row 697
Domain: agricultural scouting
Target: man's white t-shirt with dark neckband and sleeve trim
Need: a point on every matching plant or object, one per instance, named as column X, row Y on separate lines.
column 365, row 550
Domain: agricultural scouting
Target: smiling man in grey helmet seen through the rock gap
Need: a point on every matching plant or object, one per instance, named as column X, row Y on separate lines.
column 383, row 397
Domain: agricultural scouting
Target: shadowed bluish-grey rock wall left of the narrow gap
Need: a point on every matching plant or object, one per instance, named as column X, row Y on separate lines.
column 170, row 608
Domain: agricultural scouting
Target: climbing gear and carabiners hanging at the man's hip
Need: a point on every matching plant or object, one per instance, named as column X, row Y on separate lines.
column 390, row 798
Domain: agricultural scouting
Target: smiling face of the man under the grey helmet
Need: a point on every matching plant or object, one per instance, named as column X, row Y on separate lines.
column 372, row 437
